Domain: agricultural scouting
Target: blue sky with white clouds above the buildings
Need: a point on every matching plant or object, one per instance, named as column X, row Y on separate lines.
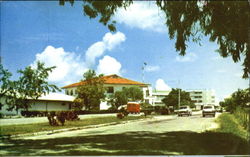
column 62, row 36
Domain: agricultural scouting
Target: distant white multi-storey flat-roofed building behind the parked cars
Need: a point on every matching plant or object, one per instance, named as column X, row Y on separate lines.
column 202, row 97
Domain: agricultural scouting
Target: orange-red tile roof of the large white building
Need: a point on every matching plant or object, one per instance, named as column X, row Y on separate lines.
column 111, row 79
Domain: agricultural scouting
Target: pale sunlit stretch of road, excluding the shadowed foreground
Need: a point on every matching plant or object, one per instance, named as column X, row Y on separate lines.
column 157, row 124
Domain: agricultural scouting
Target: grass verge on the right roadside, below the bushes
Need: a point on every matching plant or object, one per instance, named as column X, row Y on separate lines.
column 229, row 124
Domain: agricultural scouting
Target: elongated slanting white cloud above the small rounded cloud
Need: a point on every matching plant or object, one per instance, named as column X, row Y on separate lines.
column 108, row 42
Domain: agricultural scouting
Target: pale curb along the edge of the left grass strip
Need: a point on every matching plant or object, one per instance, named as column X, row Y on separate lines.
column 67, row 129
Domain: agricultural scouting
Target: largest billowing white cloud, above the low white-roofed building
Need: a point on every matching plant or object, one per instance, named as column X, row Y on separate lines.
column 69, row 66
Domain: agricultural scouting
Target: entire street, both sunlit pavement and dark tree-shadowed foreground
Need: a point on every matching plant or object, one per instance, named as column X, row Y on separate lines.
column 159, row 135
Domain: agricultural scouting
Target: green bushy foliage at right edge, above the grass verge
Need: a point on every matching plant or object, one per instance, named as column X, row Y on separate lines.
column 240, row 98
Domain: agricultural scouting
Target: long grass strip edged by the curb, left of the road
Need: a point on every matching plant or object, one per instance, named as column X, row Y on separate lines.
column 37, row 127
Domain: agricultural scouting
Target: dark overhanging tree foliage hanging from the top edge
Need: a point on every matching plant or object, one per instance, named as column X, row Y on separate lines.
column 224, row 22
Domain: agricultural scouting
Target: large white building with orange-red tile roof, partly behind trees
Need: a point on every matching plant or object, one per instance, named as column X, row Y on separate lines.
column 114, row 83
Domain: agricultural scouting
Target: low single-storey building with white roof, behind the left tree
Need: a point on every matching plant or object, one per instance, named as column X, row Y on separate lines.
column 50, row 102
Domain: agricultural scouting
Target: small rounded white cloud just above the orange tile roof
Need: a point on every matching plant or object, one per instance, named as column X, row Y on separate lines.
column 109, row 65
